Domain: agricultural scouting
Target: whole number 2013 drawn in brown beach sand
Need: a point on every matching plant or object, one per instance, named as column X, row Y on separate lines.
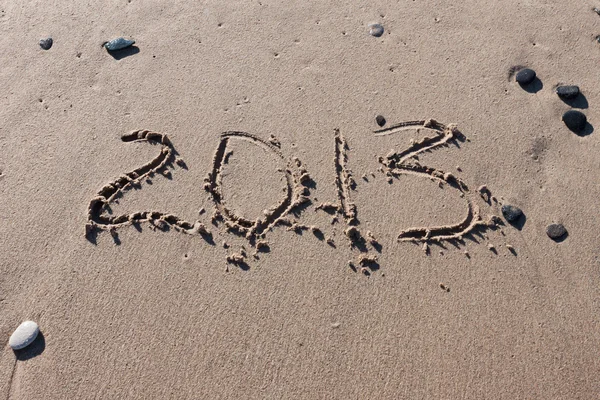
column 287, row 211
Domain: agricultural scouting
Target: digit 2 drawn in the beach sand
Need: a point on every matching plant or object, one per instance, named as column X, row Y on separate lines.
column 99, row 220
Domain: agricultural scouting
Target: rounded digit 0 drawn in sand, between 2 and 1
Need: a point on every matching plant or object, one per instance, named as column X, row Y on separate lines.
column 296, row 193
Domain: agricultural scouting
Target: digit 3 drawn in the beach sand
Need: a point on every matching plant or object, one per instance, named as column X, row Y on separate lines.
column 405, row 162
